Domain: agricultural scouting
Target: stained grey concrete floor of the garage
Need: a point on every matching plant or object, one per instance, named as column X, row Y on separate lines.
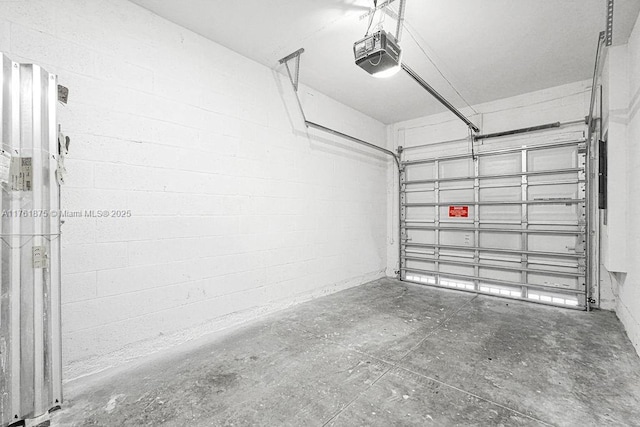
column 383, row 354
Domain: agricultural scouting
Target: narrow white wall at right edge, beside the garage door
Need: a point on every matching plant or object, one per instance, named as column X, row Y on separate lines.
column 621, row 81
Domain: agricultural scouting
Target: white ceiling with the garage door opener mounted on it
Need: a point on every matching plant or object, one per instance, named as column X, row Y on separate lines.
column 486, row 50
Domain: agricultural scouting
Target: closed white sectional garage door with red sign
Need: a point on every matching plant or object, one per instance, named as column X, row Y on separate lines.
column 508, row 219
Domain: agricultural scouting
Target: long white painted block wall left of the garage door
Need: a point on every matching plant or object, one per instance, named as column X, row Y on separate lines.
column 236, row 211
